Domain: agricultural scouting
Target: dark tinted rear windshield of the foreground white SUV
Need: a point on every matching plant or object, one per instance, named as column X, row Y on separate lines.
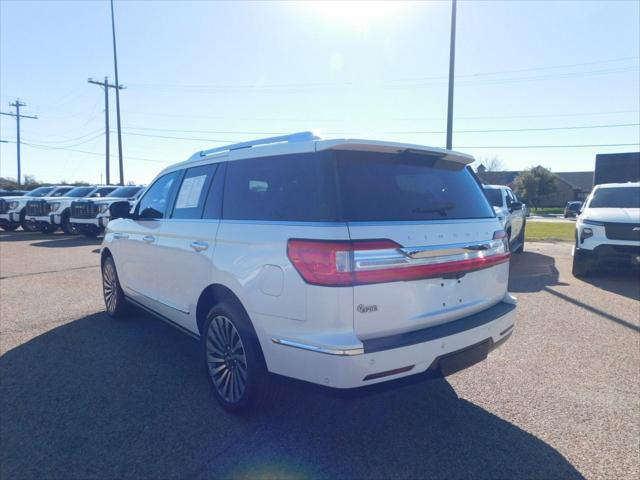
column 407, row 187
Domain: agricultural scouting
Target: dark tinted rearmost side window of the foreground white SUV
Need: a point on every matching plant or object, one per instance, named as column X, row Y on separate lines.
column 299, row 187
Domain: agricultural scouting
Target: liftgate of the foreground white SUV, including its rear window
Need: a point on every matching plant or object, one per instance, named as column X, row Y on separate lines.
column 442, row 262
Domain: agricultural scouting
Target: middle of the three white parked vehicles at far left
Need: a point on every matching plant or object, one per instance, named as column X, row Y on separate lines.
column 49, row 214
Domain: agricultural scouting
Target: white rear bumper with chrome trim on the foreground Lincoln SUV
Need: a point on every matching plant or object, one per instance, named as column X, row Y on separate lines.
column 443, row 349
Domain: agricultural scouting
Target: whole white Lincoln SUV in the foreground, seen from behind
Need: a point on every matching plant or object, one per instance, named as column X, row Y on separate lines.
column 343, row 263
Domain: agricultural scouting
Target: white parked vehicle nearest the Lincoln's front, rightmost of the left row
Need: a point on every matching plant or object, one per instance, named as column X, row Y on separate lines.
column 90, row 216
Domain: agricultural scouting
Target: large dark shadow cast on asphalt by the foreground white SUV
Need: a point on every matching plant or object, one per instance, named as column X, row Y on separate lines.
column 105, row 398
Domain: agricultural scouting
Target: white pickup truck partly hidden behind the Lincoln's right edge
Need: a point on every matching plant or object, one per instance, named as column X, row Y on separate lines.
column 510, row 212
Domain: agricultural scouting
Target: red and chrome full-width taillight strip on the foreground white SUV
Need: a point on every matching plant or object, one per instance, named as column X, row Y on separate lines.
column 347, row 263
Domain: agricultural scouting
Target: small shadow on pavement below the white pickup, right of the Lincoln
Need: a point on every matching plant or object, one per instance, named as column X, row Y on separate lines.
column 532, row 272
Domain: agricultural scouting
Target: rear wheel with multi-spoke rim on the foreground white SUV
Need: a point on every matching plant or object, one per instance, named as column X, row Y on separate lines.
column 233, row 361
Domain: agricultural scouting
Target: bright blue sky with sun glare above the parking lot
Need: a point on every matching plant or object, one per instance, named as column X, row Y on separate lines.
column 535, row 81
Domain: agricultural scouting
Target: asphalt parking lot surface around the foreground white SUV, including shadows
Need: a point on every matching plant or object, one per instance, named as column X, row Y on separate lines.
column 85, row 396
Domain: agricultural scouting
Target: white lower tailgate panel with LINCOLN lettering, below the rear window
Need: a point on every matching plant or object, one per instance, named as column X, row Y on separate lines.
column 452, row 255
